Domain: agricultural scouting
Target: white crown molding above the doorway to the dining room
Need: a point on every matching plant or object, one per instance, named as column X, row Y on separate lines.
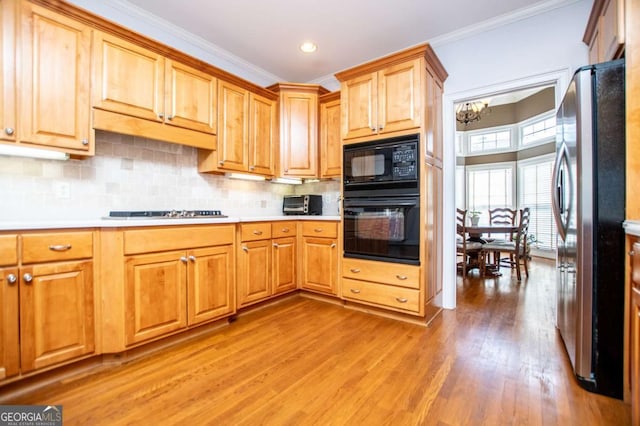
column 499, row 21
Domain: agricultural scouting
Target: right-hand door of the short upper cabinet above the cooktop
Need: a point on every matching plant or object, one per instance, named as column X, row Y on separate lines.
column 190, row 98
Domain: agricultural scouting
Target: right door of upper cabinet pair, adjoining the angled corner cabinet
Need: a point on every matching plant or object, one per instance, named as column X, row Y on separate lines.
column 262, row 130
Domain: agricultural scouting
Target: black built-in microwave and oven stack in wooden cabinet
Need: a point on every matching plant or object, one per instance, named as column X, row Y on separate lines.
column 381, row 200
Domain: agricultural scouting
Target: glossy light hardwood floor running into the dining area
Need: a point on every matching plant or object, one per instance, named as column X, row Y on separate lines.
column 496, row 359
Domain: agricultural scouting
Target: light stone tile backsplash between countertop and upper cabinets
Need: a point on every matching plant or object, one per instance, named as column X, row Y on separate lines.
column 132, row 173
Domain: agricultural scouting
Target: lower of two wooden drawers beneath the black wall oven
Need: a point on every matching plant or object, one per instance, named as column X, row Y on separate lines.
column 385, row 295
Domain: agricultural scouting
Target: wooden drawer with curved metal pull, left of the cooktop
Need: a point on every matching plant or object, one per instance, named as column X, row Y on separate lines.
column 57, row 246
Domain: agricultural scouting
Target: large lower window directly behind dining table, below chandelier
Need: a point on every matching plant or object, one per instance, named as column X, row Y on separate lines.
column 490, row 186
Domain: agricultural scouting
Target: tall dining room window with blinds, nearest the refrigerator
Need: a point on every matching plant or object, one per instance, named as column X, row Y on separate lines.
column 534, row 183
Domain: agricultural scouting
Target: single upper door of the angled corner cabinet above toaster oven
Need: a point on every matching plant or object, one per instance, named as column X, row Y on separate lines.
column 299, row 140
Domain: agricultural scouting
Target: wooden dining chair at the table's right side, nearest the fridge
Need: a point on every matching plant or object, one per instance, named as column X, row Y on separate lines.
column 517, row 249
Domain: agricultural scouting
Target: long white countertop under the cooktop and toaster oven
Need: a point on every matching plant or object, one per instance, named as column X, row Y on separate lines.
column 126, row 223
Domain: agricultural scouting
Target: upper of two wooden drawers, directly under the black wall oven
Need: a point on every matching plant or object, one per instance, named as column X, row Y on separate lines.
column 382, row 272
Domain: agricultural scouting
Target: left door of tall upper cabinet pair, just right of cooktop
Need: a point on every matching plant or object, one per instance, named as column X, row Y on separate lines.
column 233, row 129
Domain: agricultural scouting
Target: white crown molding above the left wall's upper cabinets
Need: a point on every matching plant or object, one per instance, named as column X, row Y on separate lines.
column 198, row 47
